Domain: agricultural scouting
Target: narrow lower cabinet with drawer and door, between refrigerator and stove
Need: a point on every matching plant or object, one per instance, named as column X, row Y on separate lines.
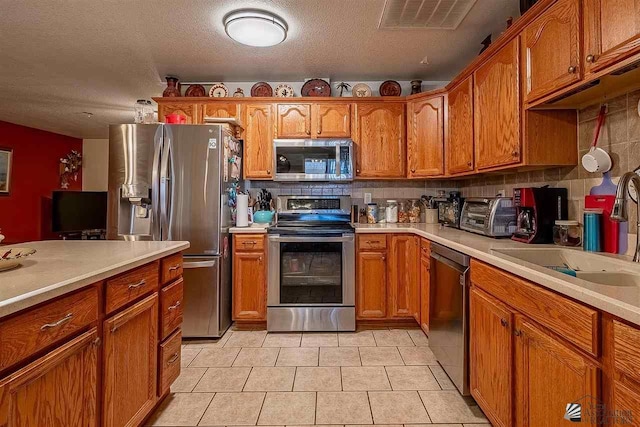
column 249, row 278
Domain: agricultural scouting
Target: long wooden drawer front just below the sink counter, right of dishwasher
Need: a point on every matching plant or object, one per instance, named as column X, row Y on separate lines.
column 573, row 321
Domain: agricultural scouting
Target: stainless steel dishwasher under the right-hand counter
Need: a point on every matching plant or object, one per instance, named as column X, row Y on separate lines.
column 448, row 313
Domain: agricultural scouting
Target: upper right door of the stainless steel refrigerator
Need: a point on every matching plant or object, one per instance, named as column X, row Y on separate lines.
column 190, row 189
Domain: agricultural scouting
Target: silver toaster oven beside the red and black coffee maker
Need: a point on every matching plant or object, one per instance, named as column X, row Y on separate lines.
column 493, row 217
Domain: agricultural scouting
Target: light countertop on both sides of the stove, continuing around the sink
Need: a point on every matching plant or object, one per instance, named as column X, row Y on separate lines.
column 621, row 301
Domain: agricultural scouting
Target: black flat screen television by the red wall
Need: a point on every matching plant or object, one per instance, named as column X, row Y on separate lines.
column 75, row 211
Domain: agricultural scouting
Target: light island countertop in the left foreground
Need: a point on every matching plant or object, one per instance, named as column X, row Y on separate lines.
column 62, row 266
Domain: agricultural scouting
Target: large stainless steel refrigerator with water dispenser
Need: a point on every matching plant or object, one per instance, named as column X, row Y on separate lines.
column 172, row 182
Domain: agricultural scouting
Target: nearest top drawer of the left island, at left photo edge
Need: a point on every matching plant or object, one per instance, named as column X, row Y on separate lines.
column 27, row 333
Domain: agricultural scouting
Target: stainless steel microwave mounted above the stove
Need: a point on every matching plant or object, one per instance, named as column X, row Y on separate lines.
column 313, row 159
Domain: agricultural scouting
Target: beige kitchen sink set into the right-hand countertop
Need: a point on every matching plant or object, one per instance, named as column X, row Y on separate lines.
column 591, row 267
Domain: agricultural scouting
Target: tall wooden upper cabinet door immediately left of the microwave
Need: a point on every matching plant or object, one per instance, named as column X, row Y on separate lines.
column 258, row 141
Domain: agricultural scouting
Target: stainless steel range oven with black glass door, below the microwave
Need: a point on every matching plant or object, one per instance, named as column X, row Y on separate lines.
column 311, row 265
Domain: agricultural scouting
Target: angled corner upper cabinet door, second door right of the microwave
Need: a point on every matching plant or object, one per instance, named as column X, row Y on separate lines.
column 426, row 138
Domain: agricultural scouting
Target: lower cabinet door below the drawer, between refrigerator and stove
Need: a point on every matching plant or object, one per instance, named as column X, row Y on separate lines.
column 249, row 286
